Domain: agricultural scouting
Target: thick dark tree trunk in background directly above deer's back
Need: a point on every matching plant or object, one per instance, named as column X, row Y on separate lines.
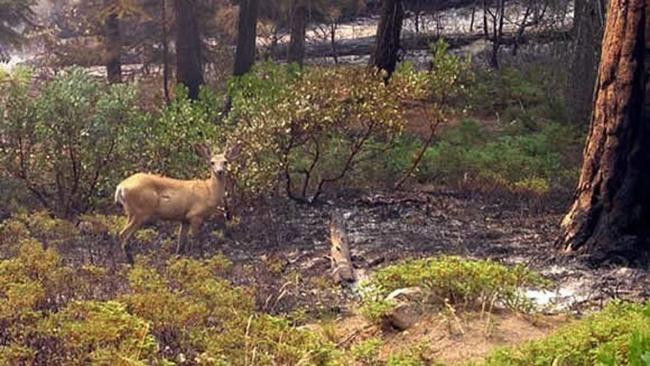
column 189, row 65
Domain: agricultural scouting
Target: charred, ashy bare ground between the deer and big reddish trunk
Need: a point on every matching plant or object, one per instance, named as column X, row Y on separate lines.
column 281, row 250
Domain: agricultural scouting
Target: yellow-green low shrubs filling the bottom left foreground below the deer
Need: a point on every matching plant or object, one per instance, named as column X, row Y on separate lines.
column 51, row 313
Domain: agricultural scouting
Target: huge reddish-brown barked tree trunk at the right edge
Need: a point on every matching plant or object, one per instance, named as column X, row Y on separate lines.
column 610, row 216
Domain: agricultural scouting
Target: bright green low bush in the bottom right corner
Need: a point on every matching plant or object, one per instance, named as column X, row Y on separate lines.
column 618, row 335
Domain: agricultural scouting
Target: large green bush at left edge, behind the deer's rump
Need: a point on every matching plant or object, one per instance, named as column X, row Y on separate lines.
column 65, row 143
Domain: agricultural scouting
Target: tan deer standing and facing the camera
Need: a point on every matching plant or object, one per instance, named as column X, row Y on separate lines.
column 145, row 197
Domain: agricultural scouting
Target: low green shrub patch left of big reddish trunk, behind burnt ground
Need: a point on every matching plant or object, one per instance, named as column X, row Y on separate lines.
column 518, row 161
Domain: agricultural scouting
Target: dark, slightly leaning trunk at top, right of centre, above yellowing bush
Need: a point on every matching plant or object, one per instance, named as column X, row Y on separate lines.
column 389, row 31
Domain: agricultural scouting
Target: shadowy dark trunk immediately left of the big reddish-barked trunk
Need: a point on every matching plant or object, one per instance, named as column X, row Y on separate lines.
column 589, row 16
